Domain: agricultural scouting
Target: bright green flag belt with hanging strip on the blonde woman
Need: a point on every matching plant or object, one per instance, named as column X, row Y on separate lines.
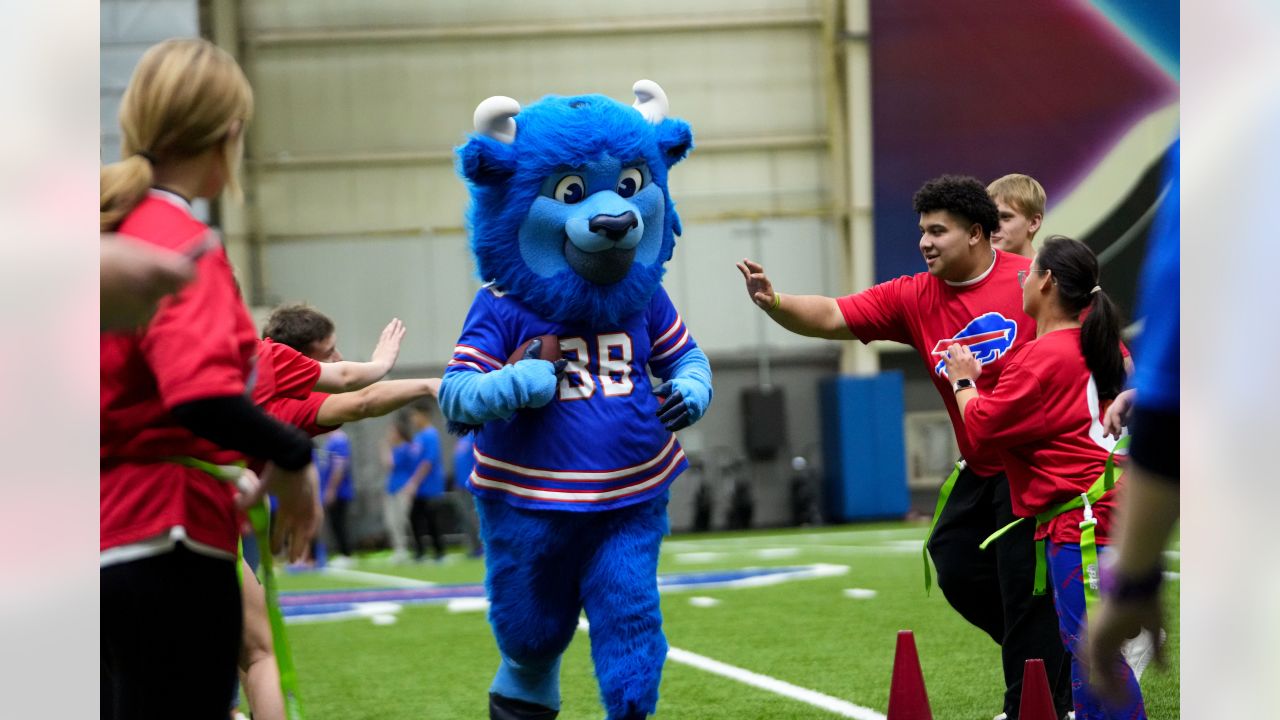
column 260, row 517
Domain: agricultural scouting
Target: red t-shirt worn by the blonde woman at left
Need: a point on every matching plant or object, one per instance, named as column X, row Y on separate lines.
column 199, row 345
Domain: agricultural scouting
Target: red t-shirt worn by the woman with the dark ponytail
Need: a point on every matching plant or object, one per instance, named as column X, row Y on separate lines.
column 1045, row 421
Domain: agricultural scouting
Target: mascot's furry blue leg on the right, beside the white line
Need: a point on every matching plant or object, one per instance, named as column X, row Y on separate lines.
column 620, row 594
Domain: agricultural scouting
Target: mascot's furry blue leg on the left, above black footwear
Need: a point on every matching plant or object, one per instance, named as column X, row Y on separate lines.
column 533, row 580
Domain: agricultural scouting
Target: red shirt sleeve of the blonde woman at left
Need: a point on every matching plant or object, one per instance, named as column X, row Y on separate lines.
column 196, row 343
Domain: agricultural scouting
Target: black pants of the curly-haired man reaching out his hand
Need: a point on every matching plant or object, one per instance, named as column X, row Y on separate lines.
column 993, row 589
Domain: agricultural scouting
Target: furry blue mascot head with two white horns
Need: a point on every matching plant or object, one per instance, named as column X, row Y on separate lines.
column 570, row 211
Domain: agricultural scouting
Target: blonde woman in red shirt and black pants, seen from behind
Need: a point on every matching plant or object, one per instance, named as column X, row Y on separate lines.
column 176, row 411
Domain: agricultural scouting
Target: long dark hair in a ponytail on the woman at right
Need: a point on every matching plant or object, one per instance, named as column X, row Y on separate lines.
column 1076, row 270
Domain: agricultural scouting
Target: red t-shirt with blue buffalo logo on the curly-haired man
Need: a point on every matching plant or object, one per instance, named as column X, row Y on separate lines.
column 930, row 315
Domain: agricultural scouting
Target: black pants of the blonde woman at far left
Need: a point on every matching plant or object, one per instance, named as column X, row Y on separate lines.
column 171, row 637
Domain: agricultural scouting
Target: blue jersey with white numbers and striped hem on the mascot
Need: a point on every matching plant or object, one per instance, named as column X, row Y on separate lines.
column 598, row 445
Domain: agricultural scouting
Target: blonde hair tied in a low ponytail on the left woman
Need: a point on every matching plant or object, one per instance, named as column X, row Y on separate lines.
column 186, row 97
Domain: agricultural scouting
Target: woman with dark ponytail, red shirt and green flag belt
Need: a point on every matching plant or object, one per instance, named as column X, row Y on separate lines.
column 1045, row 420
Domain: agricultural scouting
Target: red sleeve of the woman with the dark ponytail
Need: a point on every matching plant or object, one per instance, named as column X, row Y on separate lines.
column 1013, row 414
